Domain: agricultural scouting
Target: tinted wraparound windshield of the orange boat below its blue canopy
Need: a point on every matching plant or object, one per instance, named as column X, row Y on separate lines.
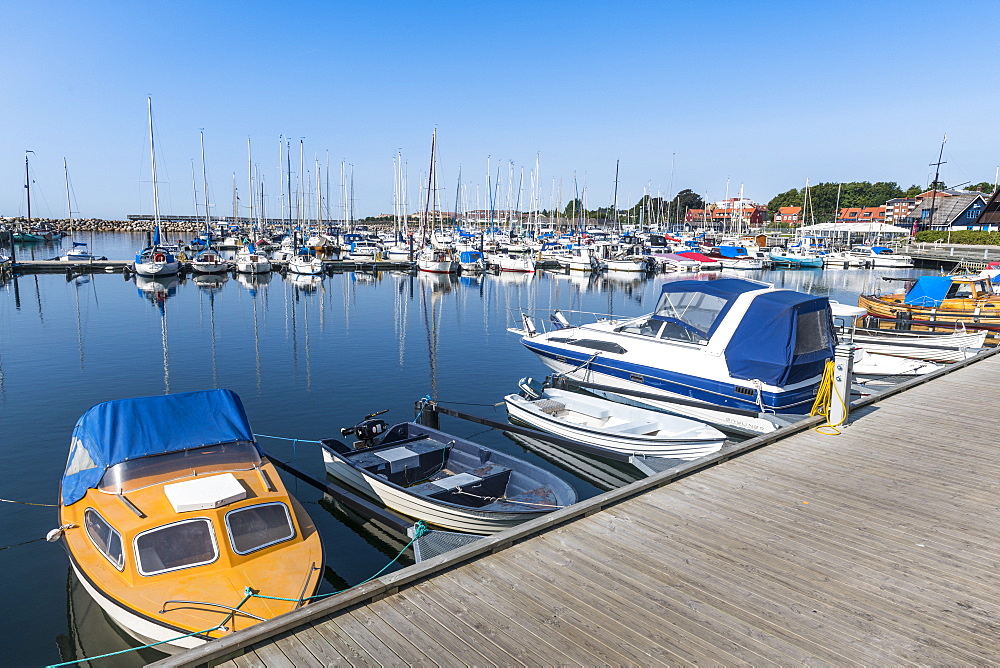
column 138, row 473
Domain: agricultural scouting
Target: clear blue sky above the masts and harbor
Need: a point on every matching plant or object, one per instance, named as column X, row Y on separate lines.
column 762, row 94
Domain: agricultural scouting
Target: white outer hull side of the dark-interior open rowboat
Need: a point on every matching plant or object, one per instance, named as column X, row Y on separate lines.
column 448, row 517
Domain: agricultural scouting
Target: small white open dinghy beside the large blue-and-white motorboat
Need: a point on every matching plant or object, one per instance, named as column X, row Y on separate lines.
column 612, row 426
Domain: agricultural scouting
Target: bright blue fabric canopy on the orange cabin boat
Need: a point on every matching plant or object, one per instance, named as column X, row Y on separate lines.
column 118, row 431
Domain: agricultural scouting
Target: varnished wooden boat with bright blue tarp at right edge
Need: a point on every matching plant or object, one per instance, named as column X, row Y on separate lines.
column 939, row 303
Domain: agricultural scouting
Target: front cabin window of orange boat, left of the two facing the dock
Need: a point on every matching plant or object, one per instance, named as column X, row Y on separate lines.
column 179, row 545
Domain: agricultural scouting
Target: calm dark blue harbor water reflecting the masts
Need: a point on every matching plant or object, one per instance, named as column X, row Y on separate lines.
column 306, row 355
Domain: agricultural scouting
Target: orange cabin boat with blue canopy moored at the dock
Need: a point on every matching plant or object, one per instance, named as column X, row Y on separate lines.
column 169, row 512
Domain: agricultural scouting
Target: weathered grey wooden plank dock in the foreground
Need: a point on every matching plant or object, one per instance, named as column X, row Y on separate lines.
column 877, row 546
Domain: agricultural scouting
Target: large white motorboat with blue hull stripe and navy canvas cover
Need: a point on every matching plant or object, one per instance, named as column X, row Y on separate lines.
column 733, row 343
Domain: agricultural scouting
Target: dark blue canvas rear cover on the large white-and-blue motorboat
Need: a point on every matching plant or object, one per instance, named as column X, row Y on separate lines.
column 784, row 338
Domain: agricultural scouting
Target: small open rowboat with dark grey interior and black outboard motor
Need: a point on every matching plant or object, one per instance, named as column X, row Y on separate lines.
column 443, row 480
